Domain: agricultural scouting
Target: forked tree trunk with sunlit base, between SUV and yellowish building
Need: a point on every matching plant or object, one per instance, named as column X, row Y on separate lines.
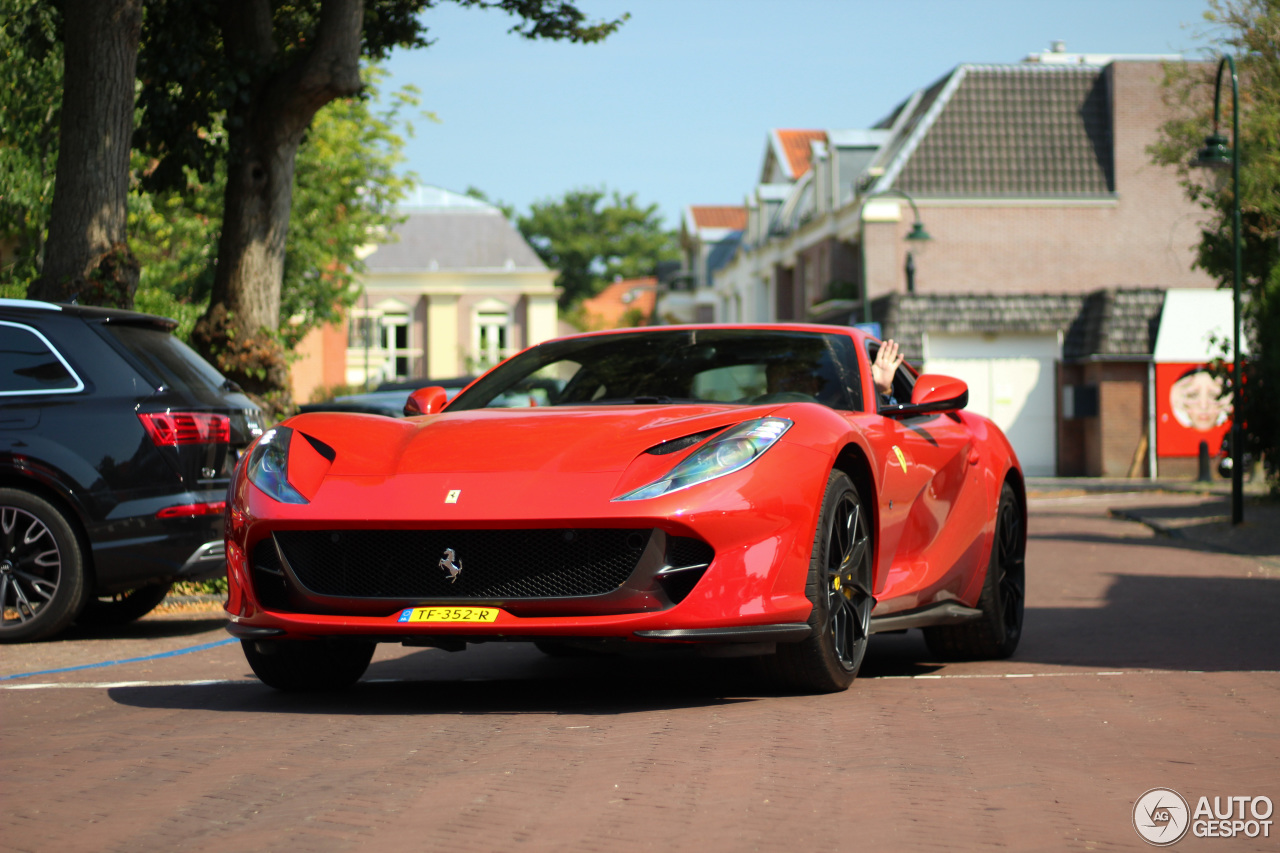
column 240, row 331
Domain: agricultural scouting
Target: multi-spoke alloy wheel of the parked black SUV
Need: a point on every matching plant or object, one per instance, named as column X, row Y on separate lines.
column 42, row 569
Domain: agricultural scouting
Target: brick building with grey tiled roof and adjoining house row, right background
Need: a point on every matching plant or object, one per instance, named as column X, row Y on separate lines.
column 1054, row 240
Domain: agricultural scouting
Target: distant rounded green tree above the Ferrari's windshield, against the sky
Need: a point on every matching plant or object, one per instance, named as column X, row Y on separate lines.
column 593, row 238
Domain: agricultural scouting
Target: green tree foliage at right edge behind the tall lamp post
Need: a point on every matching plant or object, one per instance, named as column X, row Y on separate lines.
column 1250, row 30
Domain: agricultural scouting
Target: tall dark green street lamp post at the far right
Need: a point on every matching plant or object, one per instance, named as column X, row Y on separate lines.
column 1218, row 156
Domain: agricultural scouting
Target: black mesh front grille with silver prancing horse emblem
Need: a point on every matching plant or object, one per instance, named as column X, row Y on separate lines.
column 495, row 564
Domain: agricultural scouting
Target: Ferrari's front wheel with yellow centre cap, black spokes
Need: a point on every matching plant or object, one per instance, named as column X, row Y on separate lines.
column 840, row 590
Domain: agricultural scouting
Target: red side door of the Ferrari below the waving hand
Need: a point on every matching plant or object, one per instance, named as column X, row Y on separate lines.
column 934, row 508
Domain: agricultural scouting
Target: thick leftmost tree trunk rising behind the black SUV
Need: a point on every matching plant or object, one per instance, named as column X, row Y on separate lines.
column 88, row 257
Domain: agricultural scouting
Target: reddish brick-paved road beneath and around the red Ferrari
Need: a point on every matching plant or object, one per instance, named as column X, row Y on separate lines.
column 1145, row 664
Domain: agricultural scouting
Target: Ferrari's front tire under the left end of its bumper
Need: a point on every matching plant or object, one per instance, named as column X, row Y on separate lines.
column 308, row 665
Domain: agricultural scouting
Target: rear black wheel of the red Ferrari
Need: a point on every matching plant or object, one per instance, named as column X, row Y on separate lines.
column 995, row 636
